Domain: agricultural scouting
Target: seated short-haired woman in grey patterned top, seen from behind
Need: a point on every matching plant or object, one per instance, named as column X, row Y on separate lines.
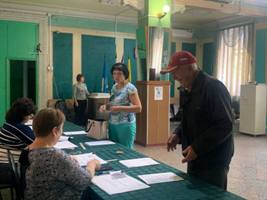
column 49, row 173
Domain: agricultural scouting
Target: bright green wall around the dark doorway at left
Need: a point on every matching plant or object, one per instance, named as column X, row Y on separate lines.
column 18, row 42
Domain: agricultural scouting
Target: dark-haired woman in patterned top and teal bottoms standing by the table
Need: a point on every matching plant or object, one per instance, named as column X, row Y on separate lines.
column 124, row 103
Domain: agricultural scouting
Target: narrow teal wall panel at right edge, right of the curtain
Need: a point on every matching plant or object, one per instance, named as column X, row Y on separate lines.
column 260, row 59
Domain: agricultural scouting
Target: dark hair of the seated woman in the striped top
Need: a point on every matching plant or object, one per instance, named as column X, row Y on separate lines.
column 20, row 109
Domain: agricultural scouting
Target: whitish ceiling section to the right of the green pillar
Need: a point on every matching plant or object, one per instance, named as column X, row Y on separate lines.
column 207, row 13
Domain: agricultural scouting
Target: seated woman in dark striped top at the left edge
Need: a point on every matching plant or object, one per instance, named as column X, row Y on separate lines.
column 15, row 135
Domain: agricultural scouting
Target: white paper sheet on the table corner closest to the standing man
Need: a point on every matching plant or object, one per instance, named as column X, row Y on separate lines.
column 160, row 178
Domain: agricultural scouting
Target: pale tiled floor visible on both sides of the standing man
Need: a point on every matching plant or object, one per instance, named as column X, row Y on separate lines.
column 248, row 169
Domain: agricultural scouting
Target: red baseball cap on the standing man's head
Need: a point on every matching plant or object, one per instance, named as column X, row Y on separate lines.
column 179, row 58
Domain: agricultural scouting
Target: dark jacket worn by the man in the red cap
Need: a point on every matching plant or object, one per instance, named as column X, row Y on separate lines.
column 207, row 121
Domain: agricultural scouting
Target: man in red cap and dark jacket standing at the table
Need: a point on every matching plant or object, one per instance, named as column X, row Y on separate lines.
column 205, row 131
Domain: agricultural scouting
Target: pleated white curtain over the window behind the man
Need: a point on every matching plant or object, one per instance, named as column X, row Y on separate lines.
column 234, row 57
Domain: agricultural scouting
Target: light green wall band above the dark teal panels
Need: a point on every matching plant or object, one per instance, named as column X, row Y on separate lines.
column 95, row 24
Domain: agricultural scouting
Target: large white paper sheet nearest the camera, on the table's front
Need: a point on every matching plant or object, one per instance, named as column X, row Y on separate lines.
column 114, row 184
